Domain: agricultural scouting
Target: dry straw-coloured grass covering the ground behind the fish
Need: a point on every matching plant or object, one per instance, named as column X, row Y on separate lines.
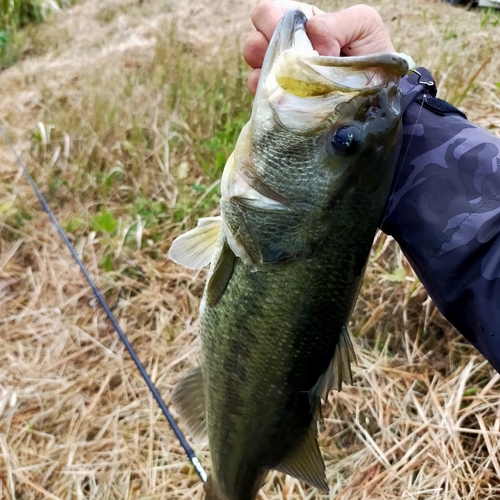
column 139, row 134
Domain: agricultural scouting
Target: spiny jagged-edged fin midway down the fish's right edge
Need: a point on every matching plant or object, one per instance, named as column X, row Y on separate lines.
column 339, row 369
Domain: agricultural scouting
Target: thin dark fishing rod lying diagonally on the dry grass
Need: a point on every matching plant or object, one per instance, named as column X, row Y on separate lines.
column 102, row 301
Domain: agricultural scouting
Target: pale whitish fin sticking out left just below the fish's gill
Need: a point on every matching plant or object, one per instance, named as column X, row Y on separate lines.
column 196, row 248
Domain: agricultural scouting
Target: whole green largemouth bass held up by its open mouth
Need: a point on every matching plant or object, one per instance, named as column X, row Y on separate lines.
column 301, row 198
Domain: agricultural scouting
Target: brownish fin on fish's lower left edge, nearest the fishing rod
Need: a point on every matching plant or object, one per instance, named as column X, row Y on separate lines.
column 188, row 399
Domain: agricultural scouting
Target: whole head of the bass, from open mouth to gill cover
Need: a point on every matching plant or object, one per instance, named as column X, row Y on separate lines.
column 324, row 130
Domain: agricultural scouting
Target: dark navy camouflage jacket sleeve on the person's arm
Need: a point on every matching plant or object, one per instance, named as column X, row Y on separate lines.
column 444, row 212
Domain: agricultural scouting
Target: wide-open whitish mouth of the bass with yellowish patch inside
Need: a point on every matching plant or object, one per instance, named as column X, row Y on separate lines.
column 293, row 67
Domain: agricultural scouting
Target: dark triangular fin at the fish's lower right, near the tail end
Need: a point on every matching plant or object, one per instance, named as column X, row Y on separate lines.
column 306, row 462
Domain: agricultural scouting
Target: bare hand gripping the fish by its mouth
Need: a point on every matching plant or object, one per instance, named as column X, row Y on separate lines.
column 355, row 31
